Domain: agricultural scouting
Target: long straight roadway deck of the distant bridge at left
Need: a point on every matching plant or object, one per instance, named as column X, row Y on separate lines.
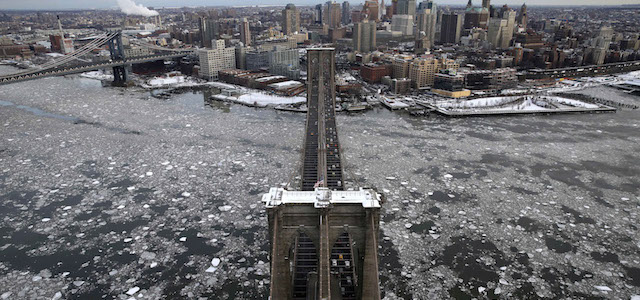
column 88, row 67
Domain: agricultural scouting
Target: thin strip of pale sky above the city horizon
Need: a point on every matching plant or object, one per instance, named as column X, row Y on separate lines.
column 86, row 4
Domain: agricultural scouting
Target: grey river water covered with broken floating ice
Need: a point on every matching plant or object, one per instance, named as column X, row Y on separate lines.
column 109, row 191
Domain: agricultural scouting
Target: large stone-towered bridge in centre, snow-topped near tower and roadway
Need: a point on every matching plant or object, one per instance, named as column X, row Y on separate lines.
column 324, row 239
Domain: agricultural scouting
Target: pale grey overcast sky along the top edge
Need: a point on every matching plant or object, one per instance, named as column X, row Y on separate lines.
column 87, row 4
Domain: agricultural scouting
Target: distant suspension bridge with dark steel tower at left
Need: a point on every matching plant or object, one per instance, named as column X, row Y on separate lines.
column 120, row 64
